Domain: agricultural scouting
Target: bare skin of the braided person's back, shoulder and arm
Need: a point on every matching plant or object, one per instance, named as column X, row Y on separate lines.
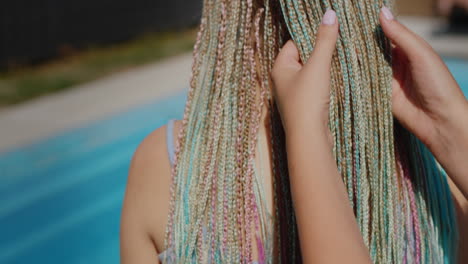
column 146, row 205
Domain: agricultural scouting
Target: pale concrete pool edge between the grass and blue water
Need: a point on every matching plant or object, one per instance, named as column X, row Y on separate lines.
column 40, row 118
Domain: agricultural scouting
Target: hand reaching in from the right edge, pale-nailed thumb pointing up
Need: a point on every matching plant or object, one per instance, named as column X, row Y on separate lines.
column 426, row 98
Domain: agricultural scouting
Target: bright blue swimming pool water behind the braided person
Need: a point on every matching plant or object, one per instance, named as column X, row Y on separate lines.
column 60, row 198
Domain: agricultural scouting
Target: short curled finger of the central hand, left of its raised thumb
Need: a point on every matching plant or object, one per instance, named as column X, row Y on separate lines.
column 287, row 64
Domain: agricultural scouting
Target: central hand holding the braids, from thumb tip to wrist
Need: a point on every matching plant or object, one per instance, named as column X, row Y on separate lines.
column 302, row 92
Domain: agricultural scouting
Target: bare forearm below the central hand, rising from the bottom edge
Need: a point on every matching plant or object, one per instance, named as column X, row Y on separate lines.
column 326, row 222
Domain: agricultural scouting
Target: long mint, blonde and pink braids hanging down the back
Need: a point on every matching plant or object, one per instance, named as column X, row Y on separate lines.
column 399, row 194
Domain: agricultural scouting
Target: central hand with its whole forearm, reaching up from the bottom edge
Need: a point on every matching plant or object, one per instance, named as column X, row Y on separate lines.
column 302, row 93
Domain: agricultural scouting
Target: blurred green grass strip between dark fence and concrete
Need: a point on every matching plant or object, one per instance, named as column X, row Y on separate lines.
column 30, row 82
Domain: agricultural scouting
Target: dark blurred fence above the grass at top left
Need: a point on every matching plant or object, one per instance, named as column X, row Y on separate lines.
column 32, row 30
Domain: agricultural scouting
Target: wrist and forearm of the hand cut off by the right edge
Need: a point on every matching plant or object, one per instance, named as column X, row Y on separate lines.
column 452, row 149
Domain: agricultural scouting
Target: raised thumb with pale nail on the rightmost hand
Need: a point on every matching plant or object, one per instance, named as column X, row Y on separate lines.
column 411, row 44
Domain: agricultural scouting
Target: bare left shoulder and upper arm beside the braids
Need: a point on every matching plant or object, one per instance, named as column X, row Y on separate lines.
column 147, row 195
